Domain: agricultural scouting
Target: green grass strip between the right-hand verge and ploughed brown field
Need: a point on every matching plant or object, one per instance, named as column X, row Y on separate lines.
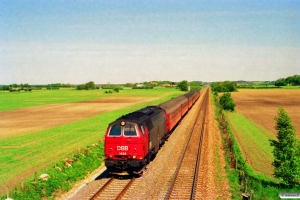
column 253, row 141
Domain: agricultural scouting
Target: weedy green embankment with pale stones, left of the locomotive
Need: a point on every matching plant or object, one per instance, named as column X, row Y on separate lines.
column 62, row 176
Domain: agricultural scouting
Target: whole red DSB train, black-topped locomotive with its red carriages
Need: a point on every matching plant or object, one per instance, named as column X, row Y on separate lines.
column 133, row 139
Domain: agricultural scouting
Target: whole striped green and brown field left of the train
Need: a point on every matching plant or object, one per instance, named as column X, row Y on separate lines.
column 38, row 128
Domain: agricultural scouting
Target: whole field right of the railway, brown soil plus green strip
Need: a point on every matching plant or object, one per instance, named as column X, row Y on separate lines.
column 253, row 123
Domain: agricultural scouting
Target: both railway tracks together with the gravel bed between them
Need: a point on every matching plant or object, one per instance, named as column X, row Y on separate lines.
column 164, row 178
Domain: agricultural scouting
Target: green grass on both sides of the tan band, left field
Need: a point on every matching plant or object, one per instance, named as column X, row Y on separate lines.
column 24, row 152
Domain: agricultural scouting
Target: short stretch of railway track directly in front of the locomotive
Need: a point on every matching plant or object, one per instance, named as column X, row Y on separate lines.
column 113, row 189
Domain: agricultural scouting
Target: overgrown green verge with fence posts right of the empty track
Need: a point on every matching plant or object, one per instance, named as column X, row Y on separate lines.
column 242, row 178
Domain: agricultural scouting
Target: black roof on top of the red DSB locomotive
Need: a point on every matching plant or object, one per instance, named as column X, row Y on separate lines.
column 141, row 115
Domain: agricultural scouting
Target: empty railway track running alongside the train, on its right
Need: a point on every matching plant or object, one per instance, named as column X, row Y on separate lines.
column 184, row 182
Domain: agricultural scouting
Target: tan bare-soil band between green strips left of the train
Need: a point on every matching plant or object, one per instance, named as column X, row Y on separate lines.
column 42, row 117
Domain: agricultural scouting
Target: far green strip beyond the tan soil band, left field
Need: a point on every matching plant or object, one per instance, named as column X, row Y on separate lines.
column 16, row 100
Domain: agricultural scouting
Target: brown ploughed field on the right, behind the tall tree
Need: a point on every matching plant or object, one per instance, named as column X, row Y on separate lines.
column 262, row 105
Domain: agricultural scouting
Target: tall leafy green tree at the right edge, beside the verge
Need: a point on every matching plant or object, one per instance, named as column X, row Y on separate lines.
column 286, row 149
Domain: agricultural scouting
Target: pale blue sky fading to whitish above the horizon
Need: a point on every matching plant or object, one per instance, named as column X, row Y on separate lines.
column 131, row 41
